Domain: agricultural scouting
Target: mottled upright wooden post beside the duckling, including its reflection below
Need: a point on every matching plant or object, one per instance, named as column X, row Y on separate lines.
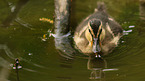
column 62, row 18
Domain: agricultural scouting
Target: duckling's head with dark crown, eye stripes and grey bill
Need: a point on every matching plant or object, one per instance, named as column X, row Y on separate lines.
column 95, row 29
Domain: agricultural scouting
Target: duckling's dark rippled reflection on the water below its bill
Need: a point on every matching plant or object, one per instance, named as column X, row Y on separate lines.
column 96, row 65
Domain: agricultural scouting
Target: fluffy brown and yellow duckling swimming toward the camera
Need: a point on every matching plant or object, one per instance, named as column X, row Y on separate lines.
column 98, row 33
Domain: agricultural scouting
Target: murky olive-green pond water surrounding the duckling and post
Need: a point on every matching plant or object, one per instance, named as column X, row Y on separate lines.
column 31, row 40
